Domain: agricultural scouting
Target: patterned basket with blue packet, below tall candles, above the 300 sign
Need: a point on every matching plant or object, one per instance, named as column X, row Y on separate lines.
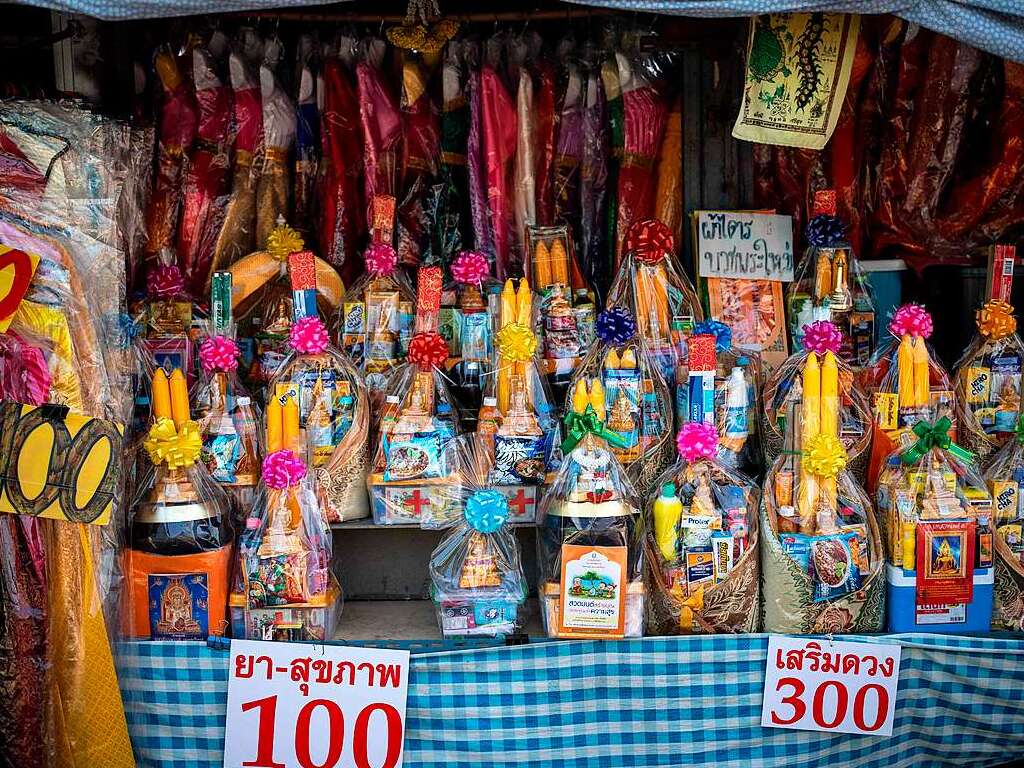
column 830, row 579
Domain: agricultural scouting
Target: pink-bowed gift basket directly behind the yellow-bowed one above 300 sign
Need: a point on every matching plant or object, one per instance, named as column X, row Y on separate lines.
column 786, row 396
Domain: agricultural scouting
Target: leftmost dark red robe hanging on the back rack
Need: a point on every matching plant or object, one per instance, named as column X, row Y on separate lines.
column 179, row 120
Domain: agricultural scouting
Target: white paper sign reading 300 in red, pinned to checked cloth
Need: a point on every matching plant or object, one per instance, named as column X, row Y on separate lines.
column 838, row 688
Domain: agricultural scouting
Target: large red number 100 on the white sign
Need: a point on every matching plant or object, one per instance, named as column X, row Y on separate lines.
column 268, row 715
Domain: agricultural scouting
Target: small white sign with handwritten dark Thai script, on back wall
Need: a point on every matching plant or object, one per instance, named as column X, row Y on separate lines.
column 745, row 246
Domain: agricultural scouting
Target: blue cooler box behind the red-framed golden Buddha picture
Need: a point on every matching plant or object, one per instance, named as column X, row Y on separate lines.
column 903, row 595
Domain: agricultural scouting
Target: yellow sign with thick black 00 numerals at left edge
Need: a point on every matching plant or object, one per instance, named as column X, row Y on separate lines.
column 58, row 464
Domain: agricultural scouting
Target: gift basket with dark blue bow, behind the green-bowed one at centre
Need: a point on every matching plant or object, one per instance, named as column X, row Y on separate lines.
column 629, row 395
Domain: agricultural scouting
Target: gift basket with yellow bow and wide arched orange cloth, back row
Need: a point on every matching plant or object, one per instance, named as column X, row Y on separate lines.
column 273, row 288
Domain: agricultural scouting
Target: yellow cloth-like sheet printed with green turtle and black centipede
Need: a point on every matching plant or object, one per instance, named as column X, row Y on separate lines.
column 798, row 69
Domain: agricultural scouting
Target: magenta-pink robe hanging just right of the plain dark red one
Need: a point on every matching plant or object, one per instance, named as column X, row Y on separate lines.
column 381, row 122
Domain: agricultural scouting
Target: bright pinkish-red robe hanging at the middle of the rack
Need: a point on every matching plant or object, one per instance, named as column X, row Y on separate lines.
column 499, row 144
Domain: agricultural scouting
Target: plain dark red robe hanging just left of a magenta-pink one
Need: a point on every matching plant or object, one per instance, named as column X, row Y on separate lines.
column 344, row 223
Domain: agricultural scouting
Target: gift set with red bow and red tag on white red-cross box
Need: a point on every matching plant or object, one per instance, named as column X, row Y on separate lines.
column 413, row 479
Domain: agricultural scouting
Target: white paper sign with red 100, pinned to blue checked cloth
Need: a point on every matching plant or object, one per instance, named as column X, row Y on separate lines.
column 298, row 706
